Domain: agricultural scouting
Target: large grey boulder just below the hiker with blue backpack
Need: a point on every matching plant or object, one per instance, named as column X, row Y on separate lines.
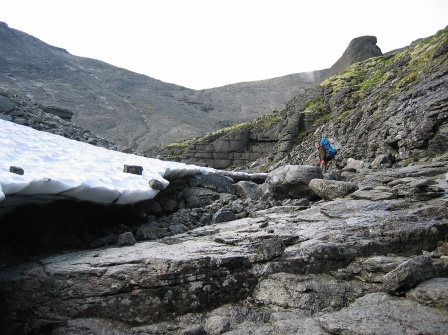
column 290, row 181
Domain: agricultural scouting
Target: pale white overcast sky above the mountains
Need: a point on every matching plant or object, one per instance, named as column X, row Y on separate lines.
column 209, row 43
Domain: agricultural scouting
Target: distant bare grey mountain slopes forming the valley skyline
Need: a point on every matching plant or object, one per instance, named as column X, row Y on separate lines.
column 133, row 110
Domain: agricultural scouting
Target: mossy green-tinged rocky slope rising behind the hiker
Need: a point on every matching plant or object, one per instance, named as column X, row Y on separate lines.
column 393, row 108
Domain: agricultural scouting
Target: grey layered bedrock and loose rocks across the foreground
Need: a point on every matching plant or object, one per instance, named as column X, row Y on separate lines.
column 372, row 258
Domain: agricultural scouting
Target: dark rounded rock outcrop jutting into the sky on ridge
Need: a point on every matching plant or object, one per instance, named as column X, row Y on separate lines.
column 359, row 49
